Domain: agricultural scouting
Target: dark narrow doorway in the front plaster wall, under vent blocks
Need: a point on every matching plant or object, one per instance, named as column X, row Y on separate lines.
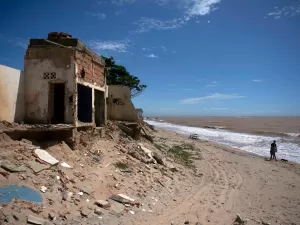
column 57, row 103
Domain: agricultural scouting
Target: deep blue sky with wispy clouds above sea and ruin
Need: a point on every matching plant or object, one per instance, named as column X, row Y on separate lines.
column 198, row 57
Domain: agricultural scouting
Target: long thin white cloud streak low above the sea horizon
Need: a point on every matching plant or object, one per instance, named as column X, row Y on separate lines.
column 215, row 96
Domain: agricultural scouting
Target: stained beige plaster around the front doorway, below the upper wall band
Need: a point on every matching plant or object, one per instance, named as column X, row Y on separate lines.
column 37, row 88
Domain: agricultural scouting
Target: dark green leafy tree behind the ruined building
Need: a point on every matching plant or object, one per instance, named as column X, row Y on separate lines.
column 118, row 75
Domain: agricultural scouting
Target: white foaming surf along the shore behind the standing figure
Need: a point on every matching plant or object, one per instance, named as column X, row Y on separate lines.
column 288, row 146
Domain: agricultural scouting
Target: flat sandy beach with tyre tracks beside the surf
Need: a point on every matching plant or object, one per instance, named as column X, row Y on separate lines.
column 235, row 182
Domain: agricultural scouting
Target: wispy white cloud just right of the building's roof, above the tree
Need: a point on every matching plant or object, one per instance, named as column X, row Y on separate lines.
column 117, row 46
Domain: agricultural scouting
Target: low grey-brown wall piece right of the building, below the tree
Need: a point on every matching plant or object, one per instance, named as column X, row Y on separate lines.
column 119, row 105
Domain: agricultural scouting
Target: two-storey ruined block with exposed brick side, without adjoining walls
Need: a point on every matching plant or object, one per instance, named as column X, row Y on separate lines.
column 64, row 83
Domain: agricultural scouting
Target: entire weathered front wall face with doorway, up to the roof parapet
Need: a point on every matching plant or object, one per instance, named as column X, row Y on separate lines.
column 40, row 60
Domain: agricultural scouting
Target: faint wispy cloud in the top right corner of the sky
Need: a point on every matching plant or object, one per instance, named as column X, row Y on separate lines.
column 285, row 11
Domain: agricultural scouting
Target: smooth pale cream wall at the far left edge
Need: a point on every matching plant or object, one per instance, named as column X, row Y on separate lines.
column 11, row 94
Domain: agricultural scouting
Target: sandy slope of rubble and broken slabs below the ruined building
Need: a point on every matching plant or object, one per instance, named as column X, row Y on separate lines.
column 112, row 180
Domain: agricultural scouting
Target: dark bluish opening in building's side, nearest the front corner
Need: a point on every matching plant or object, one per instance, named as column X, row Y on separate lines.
column 85, row 109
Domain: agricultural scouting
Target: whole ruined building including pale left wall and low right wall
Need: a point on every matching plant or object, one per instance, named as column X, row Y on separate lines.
column 63, row 84
